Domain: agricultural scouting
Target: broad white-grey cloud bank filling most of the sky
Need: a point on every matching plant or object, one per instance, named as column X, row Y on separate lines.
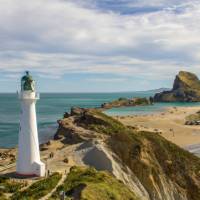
column 58, row 37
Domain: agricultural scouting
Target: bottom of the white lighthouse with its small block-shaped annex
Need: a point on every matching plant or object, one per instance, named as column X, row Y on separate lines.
column 37, row 169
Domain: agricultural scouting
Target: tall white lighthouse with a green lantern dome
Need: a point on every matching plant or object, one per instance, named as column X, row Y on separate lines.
column 28, row 162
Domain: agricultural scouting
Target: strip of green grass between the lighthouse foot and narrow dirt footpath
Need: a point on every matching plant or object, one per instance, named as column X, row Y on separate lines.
column 38, row 189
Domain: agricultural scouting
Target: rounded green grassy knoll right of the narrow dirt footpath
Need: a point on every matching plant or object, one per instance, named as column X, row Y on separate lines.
column 89, row 184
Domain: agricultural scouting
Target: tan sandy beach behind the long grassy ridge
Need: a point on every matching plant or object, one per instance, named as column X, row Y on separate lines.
column 169, row 123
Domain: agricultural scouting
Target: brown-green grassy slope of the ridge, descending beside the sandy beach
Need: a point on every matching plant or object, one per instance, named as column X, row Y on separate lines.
column 151, row 157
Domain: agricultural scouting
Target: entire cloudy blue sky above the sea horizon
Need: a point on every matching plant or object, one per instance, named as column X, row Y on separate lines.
column 98, row 45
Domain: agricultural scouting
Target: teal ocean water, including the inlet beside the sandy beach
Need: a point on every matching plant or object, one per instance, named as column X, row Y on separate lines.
column 51, row 107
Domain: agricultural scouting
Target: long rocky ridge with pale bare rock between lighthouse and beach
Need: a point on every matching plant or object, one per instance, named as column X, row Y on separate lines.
column 156, row 168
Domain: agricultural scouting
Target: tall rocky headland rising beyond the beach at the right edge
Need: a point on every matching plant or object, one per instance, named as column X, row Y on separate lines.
column 186, row 88
